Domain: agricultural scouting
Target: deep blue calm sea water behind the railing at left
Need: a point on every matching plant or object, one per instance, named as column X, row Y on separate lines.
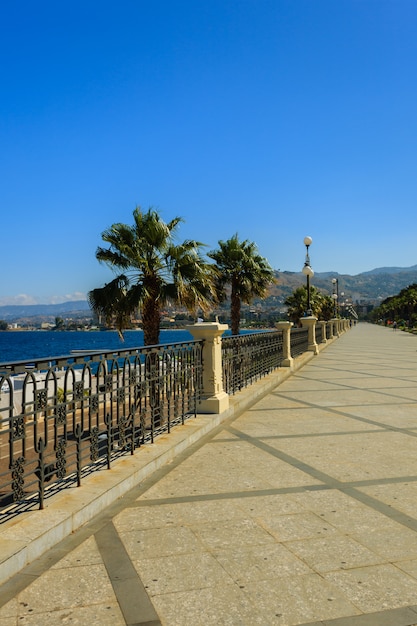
column 31, row 344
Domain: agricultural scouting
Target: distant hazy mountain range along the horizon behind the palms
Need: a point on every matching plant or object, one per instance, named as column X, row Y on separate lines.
column 373, row 286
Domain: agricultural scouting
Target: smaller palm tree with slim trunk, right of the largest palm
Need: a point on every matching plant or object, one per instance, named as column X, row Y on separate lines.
column 244, row 271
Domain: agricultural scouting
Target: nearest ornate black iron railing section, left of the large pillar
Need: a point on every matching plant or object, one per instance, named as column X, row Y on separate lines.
column 67, row 416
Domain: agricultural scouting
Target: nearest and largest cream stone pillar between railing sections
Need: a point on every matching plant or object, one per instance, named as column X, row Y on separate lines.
column 214, row 398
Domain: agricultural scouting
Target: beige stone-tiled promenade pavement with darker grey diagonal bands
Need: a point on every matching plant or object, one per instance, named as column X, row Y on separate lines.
column 302, row 509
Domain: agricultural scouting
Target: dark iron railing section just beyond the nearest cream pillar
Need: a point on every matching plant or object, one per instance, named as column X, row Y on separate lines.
column 246, row 358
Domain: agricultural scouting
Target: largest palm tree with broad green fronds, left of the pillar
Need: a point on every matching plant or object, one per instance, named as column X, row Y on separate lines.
column 153, row 271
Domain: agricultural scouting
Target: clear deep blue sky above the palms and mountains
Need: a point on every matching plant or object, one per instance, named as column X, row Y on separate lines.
column 274, row 119
